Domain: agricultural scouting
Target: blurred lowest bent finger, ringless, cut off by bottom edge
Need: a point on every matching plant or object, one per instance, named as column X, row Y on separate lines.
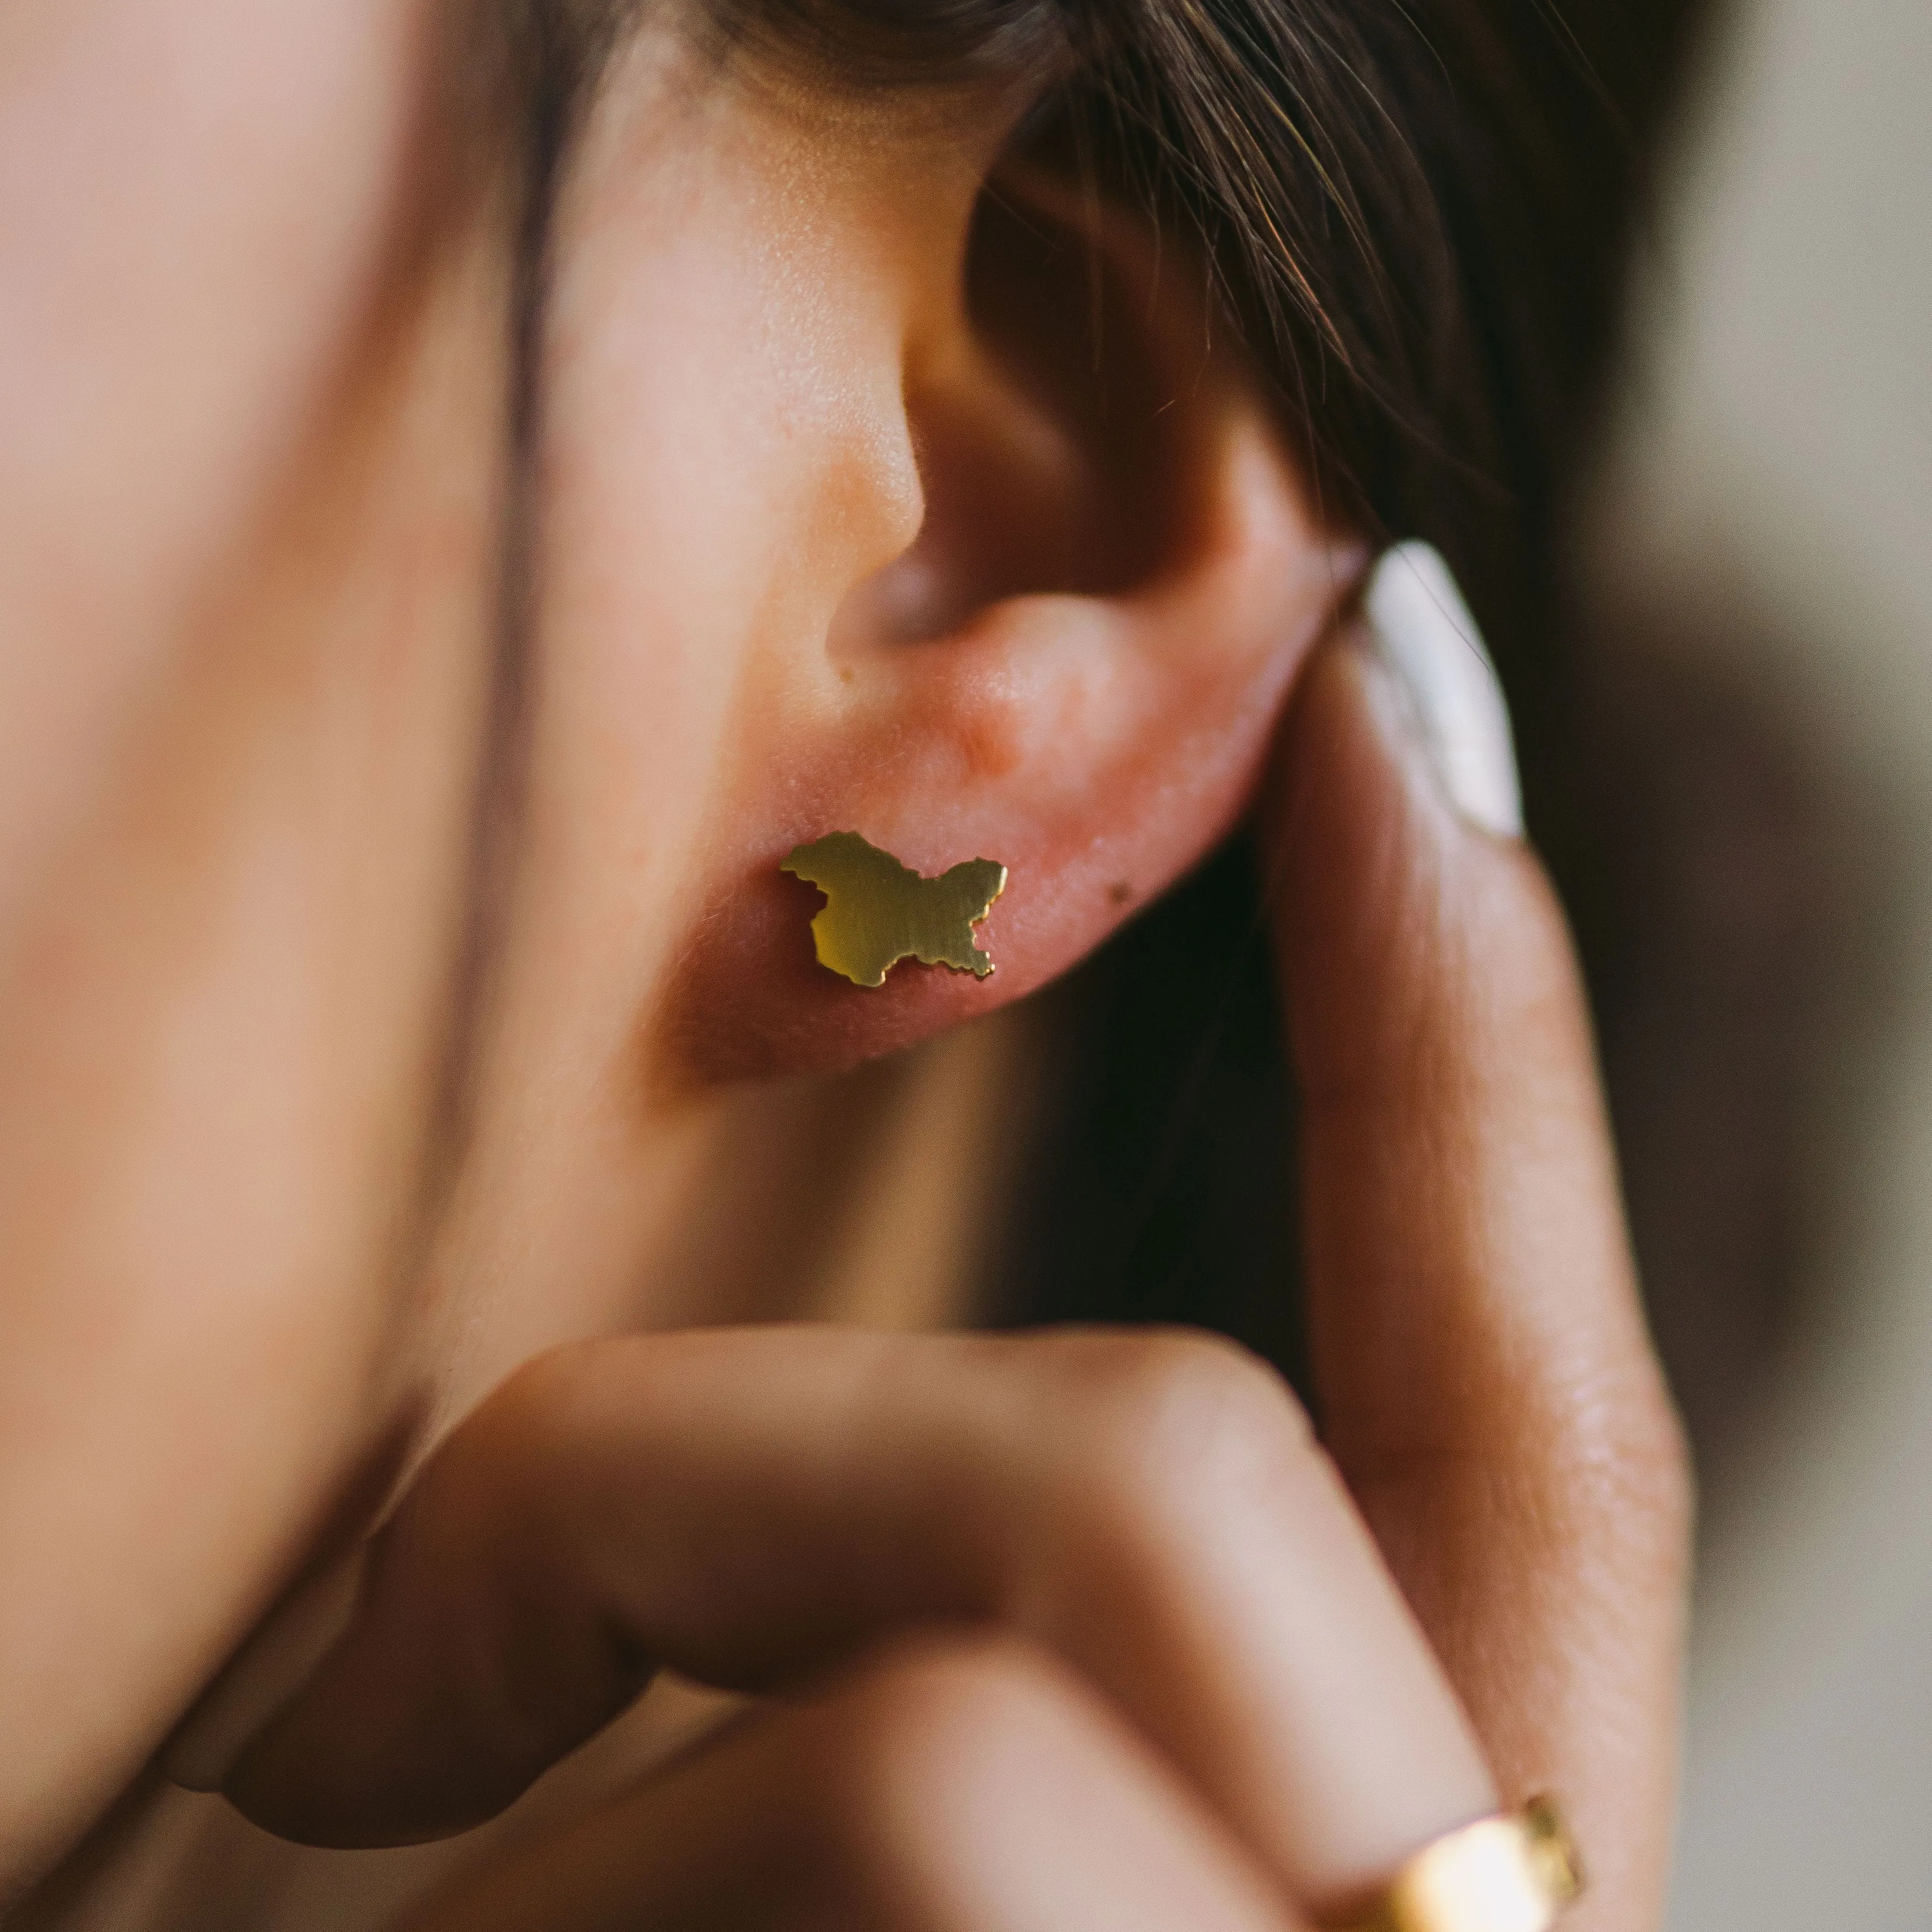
column 946, row 1788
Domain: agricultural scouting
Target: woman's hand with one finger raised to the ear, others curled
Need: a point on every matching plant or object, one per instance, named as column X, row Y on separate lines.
column 1087, row 1630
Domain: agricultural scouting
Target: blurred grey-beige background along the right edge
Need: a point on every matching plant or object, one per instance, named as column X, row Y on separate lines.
column 1759, row 567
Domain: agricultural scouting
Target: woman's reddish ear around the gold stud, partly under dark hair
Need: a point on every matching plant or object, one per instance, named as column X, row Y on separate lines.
column 1073, row 671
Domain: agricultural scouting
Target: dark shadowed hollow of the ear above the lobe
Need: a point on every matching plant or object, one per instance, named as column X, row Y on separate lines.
column 1040, row 422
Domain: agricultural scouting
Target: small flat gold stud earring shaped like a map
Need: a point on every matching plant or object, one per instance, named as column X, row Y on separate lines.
column 880, row 911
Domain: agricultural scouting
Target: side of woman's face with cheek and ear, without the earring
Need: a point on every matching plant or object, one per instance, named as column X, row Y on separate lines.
column 880, row 486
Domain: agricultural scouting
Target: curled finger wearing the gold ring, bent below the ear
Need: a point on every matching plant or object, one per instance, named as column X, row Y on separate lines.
column 751, row 1506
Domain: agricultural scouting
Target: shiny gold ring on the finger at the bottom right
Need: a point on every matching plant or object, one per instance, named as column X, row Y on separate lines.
column 1500, row 1875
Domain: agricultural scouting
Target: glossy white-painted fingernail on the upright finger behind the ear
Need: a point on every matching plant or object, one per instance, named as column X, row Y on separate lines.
column 1429, row 639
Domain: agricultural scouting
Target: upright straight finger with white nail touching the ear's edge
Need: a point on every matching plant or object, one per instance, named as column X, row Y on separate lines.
column 1483, row 1367
